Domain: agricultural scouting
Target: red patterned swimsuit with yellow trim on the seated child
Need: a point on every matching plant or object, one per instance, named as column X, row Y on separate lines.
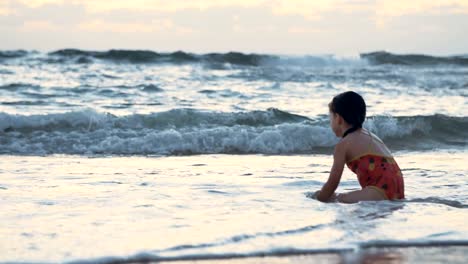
column 380, row 173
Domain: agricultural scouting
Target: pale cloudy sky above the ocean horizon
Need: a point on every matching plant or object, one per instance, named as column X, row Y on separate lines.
column 340, row 27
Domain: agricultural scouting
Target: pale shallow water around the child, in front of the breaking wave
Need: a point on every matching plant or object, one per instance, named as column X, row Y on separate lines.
column 66, row 208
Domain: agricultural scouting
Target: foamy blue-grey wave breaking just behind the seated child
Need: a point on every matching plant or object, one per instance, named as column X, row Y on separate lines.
column 189, row 131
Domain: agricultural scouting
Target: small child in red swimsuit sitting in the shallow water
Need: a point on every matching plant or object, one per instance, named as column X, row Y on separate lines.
column 364, row 154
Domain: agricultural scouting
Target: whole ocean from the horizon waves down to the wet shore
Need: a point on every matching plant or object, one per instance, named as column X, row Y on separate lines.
column 128, row 155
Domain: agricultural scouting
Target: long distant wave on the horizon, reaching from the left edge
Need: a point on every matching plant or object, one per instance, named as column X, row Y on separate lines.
column 179, row 57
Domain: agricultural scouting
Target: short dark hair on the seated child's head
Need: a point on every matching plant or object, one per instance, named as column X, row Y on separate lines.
column 351, row 107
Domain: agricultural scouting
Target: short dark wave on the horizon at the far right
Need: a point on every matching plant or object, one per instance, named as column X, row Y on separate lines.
column 382, row 57
